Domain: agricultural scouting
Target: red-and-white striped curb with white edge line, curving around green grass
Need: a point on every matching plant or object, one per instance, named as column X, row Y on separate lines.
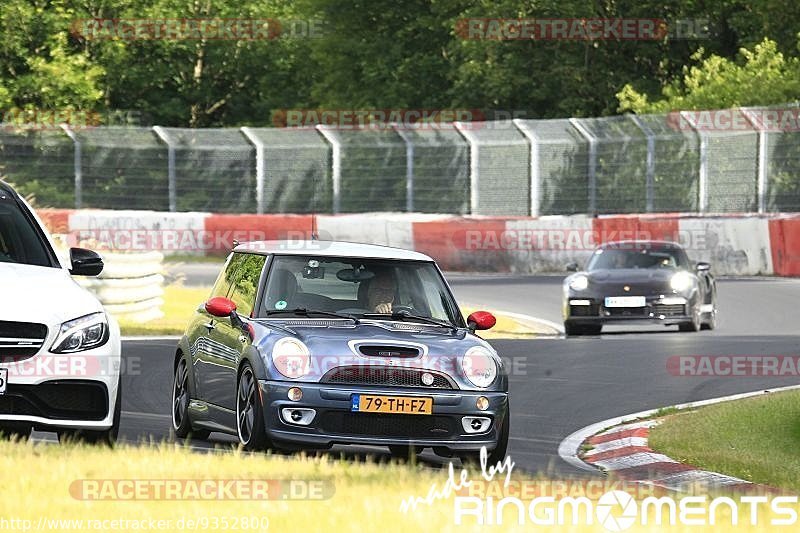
column 624, row 452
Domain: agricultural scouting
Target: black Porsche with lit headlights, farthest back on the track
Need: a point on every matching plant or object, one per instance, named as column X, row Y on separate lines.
column 639, row 282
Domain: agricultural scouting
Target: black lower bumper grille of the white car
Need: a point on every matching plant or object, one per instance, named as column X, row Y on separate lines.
column 61, row 400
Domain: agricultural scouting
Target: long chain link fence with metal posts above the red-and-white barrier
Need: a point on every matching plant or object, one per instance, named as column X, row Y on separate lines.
column 726, row 161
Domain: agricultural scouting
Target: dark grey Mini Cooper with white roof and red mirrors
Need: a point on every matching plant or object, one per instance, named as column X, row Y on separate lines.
column 309, row 344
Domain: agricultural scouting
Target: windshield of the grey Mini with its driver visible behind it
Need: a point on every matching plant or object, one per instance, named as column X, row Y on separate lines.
column 357, row 287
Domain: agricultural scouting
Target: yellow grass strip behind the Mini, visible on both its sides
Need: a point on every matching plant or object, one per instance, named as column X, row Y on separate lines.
column 180, row 302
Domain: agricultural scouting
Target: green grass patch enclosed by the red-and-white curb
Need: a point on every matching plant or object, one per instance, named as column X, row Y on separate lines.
column 755, row 439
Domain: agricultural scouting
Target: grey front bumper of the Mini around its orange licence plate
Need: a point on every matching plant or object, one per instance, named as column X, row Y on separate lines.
column 335, row 423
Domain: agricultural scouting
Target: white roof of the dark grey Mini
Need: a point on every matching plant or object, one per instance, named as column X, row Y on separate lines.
column 330, row 249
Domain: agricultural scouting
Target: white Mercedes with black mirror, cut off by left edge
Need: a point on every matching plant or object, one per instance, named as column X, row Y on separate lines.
column 60, row 351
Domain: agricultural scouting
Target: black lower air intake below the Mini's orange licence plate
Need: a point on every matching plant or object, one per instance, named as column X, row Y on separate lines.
column 382, row 425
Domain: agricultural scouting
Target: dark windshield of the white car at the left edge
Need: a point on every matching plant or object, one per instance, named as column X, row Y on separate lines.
column 20, row 241
